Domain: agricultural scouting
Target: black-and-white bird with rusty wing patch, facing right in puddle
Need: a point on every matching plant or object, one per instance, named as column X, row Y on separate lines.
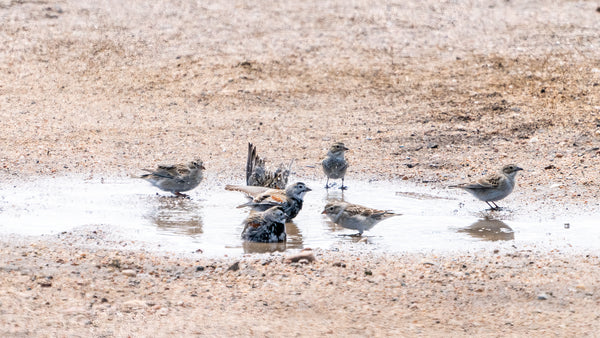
column 262, row 198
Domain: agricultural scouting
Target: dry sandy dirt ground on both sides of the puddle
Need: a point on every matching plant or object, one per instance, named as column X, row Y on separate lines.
column 424, row 91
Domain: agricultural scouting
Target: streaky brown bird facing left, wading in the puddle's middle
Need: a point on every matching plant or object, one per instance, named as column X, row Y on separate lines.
column 354, row 216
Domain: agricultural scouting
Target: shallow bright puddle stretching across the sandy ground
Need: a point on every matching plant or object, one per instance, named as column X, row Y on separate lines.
column 131, row 210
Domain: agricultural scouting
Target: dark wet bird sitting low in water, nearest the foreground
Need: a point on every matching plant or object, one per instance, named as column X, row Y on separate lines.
column 267, row 226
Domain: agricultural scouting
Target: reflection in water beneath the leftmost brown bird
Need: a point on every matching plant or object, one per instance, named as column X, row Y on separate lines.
column 177, row 216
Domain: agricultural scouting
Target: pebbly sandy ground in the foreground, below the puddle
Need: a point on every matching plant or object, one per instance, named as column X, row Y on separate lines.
column 68, row 286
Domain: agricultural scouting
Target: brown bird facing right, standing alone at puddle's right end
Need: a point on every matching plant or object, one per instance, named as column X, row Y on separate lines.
column 493, row 187
